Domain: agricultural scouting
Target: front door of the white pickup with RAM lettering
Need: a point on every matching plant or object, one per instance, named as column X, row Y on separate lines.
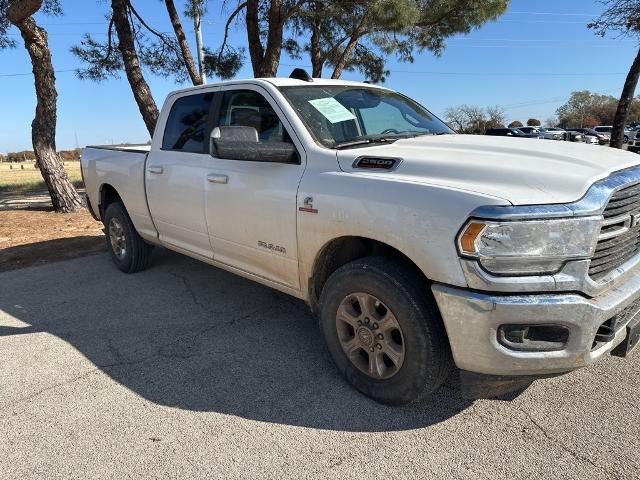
column 251, row 206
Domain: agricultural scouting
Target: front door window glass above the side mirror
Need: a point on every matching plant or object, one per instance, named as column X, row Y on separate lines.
column 246, row 108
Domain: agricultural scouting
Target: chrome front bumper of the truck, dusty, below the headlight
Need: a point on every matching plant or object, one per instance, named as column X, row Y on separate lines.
column 472, row 321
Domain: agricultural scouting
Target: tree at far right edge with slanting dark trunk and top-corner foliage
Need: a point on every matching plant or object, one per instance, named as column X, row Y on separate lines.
column 622, row 16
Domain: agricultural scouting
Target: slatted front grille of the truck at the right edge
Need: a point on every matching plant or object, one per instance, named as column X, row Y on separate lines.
column 619, row 238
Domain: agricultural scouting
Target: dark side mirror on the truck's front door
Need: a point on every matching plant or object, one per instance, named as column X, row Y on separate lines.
column 242, row 143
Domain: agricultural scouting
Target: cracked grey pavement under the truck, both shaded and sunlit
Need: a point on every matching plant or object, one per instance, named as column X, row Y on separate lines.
column 187, row 371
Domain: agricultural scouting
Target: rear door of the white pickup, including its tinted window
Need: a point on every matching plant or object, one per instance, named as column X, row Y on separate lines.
column 176, row 172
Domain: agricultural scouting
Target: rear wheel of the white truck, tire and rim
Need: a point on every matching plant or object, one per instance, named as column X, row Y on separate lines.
column 128, row 250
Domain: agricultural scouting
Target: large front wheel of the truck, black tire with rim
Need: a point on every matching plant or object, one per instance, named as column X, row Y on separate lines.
column 420, row 347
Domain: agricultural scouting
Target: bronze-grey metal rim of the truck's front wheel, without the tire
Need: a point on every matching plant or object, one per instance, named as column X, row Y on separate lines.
column 370, row 335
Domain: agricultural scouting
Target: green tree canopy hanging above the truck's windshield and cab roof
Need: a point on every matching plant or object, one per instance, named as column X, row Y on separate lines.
column 362, row 34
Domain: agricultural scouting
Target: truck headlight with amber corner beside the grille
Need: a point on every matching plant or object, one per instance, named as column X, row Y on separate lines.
column 529, row 247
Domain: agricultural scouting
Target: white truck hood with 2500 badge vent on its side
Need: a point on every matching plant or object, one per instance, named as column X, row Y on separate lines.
column 520, row 171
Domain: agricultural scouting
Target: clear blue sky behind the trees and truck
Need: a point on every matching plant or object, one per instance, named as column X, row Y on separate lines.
column 528, row 62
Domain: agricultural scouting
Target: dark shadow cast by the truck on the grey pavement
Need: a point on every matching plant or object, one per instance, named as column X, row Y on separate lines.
column 186, row 335
